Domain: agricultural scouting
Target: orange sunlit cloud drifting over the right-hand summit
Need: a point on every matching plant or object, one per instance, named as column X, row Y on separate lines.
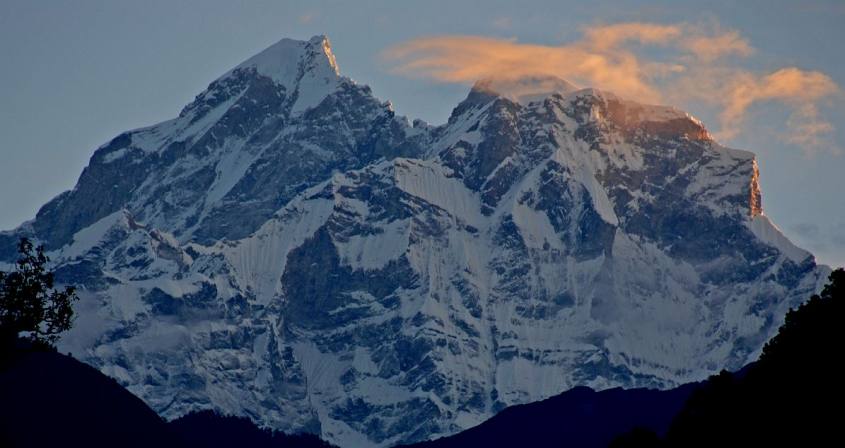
column 692, row 67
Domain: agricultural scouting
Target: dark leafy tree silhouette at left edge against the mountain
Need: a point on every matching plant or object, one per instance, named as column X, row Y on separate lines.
column 29, row 305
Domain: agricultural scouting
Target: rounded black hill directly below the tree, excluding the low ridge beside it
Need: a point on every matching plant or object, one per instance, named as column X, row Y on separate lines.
column 51, row 400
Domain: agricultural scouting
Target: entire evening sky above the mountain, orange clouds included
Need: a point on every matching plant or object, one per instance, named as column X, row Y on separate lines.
column 765, row 76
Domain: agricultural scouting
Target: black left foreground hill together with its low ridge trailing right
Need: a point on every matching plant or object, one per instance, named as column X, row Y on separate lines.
column 51, row 400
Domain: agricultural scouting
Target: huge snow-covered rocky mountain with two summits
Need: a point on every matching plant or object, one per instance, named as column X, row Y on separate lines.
column 290, row 250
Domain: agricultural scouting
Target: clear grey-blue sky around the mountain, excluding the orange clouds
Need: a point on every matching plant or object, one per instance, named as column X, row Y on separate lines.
column 74, row 74
